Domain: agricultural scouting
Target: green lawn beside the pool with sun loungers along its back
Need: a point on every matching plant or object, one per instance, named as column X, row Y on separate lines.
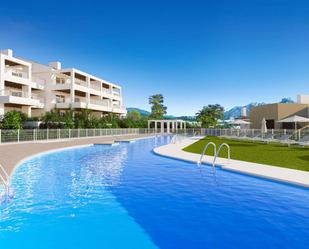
column 272, row 154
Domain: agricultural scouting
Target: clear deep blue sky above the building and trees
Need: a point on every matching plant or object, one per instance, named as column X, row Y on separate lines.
column 195, row 53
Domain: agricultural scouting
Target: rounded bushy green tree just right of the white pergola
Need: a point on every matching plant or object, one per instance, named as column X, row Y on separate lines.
column 209, row 115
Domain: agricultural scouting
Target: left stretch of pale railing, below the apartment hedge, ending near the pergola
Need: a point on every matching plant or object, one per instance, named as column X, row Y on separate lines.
column 35, row 135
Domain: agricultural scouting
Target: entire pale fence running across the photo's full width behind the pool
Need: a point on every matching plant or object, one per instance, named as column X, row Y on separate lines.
column 27, row 135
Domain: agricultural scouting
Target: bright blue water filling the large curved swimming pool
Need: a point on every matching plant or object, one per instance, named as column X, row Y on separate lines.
column 127, row 197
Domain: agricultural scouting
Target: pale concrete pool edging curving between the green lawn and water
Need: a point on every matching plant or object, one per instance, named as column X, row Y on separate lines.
column 292, row 176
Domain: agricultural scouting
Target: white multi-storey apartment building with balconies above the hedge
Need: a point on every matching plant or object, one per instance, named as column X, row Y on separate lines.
column 34, row 89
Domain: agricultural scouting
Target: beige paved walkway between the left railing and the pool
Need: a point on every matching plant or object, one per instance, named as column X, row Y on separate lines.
column 12, row 154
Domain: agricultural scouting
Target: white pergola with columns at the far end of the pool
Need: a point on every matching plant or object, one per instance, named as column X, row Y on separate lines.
column 171, row 125
